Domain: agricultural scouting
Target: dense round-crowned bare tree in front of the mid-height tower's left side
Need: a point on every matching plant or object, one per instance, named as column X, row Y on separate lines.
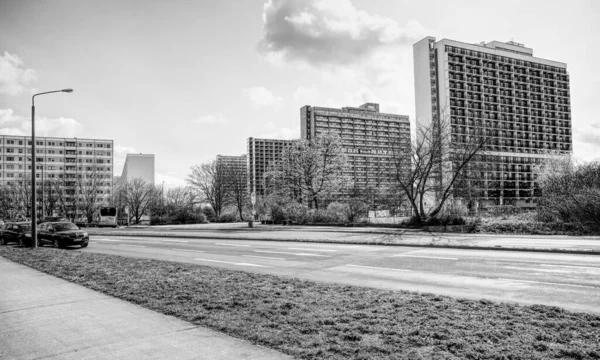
column 310, row 171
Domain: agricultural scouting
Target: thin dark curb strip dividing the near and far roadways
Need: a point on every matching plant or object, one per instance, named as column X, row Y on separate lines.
column 325, row 241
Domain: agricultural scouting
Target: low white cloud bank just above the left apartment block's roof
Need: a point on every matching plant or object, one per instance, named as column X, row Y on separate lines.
column 11, row 124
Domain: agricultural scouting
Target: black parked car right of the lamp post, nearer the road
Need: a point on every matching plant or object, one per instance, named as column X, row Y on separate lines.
column 61, row 234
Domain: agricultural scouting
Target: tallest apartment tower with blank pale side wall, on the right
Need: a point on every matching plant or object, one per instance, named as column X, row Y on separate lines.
column 522, row 101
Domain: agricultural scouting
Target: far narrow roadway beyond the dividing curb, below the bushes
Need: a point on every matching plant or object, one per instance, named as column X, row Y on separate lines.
column 380, row 235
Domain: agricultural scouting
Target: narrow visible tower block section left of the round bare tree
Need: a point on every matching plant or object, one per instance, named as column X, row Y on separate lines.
column 261, row 153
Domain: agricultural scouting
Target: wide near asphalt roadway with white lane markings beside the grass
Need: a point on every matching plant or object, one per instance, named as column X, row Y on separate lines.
column 565, row 280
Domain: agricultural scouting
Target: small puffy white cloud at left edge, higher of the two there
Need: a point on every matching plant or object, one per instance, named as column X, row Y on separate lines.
column 14, row 78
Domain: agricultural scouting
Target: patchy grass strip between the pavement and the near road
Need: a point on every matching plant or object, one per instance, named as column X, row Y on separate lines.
column 310, row 320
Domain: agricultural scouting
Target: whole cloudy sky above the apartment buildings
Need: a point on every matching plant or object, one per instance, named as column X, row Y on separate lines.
column 187, row 80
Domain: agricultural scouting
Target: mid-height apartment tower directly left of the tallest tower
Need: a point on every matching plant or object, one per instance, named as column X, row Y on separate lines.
column 368, row 137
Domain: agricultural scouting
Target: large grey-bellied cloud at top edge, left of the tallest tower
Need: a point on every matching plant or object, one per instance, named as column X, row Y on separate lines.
column 328, row 32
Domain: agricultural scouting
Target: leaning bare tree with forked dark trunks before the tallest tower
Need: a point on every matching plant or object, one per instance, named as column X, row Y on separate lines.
column 428, row 170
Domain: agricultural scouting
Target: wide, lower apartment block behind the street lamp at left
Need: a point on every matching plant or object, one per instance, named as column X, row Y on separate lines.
column 68, row 160
